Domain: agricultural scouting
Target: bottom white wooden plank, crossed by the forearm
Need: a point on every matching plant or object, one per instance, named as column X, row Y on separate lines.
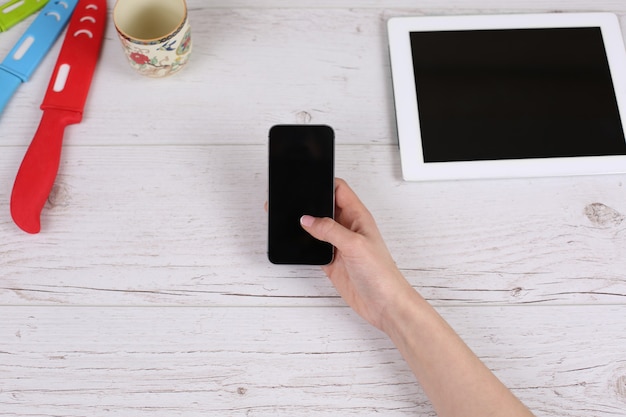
column 565, row 361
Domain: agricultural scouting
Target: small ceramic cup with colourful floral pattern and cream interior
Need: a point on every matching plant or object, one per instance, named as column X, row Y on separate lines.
column 155, row 34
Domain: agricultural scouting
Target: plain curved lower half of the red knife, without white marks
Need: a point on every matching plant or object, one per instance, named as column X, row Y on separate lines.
column 39, row 168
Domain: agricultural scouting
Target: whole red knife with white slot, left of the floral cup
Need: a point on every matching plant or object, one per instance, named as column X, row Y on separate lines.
column 62, row 105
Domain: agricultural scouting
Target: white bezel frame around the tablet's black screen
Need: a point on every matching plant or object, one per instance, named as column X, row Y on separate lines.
column 407, row 115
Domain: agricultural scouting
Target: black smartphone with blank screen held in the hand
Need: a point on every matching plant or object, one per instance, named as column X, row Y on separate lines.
column 301, row 181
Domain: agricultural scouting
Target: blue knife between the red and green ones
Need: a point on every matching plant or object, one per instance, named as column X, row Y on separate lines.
column 21, row 62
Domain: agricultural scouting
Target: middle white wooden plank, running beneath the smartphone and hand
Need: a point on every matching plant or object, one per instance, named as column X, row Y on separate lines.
column 185, row 225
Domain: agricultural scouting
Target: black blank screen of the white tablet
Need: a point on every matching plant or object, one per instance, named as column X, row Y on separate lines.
column 515, row 94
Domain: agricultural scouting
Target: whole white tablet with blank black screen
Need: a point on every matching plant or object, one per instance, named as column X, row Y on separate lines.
column 507, row 96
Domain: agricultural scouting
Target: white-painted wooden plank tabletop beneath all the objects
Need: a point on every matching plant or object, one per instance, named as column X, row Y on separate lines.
column 148, row 291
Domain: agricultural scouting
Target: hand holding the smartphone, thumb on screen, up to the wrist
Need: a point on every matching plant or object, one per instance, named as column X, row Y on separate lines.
column 363, row 271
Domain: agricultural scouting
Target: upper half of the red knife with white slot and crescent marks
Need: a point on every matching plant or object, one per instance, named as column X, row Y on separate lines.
column 78, row 57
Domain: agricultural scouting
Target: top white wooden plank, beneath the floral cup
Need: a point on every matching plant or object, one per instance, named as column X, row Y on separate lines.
column 252, row 67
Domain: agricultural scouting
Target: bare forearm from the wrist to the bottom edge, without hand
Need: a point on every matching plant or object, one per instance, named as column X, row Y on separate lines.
column 455, row 380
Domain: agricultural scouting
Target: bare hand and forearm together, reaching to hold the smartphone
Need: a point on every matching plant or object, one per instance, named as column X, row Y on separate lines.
column 366, row 276
